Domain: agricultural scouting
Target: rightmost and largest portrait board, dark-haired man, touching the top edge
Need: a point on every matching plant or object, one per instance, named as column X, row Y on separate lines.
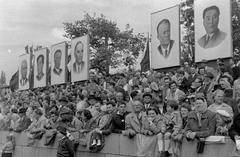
column 213, row 35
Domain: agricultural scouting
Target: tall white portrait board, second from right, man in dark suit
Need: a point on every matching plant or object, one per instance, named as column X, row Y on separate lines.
column 165, row 32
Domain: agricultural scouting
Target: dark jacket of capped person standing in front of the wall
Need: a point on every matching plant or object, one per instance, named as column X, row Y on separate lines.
column 65, row 148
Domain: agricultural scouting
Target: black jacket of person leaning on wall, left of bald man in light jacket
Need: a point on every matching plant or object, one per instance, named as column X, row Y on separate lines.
column 118, row 122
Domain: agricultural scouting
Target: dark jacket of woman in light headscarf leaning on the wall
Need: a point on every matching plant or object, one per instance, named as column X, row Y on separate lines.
column 208, row 121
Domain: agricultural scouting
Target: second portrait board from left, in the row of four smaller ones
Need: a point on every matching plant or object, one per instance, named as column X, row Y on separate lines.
column 40, row 68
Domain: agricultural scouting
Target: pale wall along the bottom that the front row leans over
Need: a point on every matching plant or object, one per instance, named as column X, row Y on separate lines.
column 116, row 145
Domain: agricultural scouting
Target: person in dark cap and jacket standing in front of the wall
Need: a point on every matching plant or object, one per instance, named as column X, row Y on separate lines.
column 65, row 146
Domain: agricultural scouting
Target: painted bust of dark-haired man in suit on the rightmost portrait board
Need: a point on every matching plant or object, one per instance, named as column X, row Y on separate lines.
column 214, row 36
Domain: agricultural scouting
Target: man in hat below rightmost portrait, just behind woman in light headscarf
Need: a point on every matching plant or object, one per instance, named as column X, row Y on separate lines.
column 208, row 86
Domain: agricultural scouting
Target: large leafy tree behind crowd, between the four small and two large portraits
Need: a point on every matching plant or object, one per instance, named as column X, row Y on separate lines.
column 108, row 45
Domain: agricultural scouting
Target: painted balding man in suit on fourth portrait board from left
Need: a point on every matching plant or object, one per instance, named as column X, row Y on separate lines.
column 79, row 64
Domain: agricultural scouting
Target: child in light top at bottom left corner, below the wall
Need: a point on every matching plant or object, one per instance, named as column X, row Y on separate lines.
column 8, row 147
